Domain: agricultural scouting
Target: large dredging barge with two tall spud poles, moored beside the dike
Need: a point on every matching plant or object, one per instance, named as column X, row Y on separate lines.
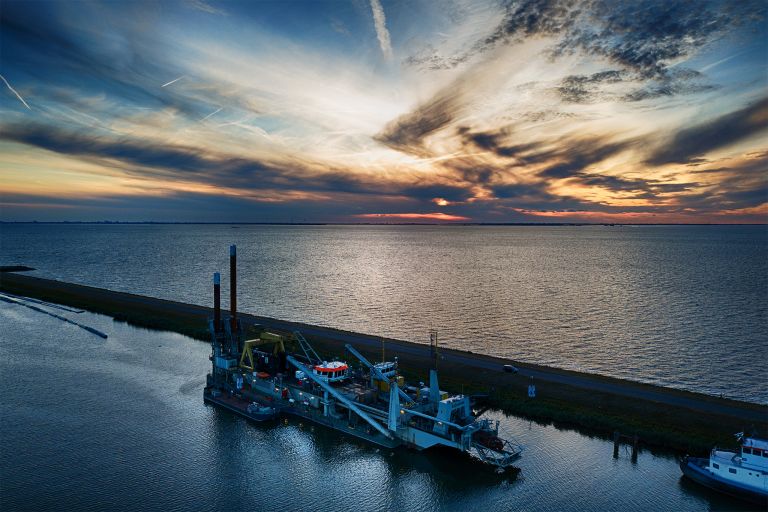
column 260, row 380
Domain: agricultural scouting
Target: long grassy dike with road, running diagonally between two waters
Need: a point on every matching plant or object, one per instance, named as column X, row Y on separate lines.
column 662, row 422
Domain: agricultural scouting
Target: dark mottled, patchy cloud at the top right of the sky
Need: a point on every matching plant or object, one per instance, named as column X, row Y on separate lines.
column 644, row 36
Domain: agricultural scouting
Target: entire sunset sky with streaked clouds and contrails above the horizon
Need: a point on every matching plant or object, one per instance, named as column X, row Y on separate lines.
column 384, row 111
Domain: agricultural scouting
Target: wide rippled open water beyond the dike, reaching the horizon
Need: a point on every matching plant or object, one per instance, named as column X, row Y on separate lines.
column 680, row 306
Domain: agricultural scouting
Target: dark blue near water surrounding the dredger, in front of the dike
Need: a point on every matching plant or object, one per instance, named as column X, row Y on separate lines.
column 119, row 424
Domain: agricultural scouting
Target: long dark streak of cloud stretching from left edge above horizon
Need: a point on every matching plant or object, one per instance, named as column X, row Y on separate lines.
column 213, row 170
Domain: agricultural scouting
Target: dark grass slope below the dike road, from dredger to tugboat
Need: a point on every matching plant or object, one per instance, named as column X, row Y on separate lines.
column 591, row 412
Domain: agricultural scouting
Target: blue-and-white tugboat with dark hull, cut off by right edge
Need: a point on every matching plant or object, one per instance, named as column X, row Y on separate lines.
column 743, row 474
